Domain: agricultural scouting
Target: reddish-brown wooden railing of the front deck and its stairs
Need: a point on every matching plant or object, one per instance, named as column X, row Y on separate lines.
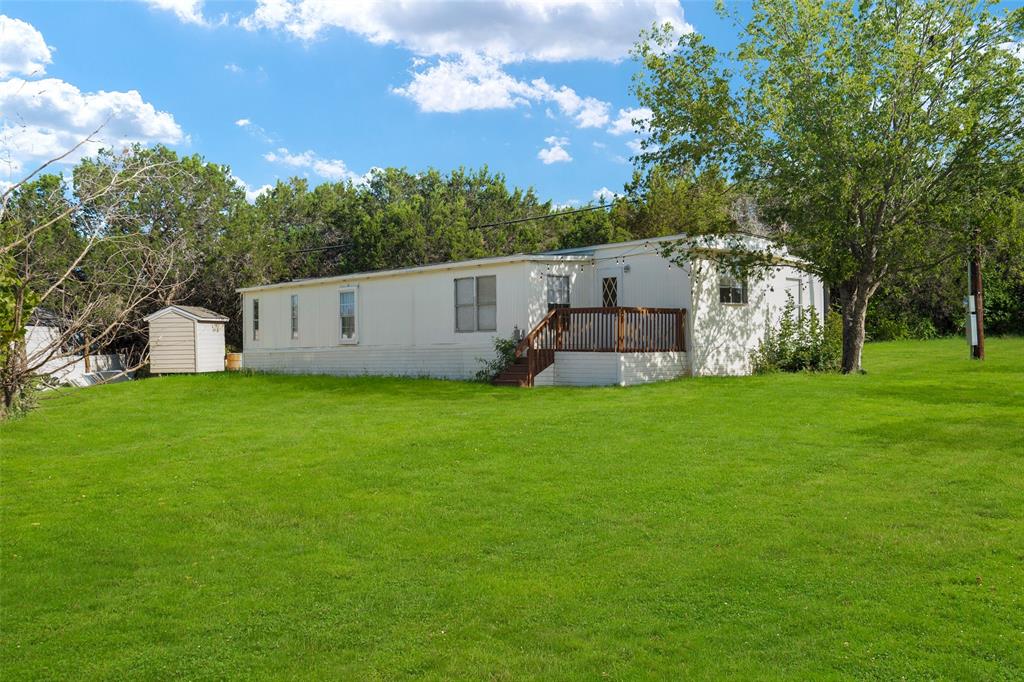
column 603, row 330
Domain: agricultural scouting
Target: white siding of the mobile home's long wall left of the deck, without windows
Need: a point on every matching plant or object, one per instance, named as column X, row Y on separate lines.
column 406, row 325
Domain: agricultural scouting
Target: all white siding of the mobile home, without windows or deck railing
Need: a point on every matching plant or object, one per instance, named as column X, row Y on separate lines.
column 406, row 320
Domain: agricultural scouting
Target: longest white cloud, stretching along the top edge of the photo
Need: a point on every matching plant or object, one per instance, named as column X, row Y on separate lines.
column 509, row 31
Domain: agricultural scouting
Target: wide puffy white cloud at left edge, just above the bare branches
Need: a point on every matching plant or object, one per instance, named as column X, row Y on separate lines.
column 46, row 118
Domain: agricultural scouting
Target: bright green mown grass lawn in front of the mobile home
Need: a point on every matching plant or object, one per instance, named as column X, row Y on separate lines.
column 797, row 527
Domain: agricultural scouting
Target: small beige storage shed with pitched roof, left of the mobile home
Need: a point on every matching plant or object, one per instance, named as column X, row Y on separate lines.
column 186, row 339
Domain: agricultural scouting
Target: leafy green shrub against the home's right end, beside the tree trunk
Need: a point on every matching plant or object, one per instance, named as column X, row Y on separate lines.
column 802, row 344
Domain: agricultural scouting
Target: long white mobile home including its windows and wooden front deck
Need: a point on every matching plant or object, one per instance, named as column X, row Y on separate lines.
column 615, row 314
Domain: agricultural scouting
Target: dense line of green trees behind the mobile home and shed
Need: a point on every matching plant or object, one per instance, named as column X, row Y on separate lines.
column 125, row 234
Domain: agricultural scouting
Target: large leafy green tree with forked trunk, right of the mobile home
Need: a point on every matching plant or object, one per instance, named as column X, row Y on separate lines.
column 872, row 134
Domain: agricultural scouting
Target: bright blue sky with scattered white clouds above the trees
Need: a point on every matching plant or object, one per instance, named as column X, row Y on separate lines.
column 537, row 90
